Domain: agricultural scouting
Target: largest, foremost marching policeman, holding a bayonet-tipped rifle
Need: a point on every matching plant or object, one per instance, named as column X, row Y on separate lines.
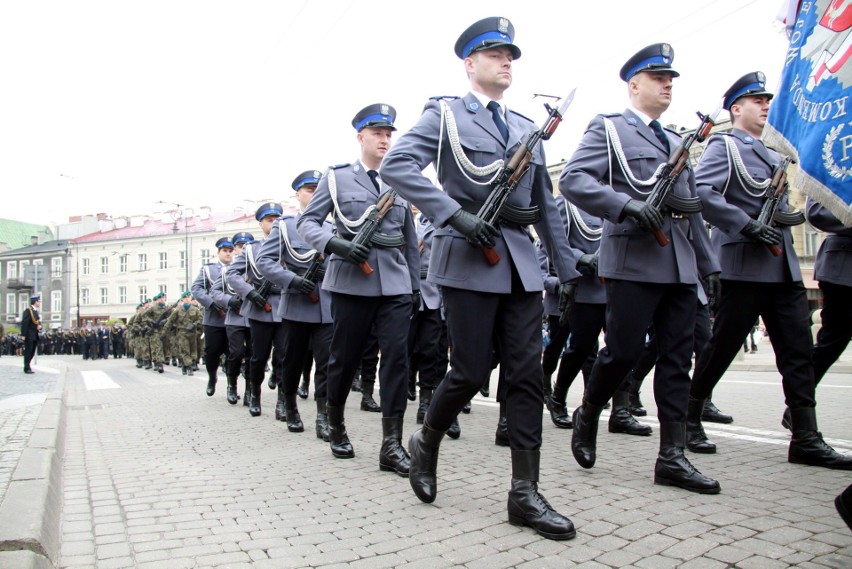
column 505, row 297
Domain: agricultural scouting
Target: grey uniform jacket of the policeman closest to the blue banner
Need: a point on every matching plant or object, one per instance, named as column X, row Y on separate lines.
column 729, row 205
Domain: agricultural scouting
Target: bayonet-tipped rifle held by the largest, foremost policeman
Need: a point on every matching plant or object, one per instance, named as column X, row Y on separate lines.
column 508, row 177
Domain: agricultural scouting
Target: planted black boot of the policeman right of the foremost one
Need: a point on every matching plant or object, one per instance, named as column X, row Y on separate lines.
column 673, row 468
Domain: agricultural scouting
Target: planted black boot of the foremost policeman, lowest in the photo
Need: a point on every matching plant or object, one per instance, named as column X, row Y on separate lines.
column 529, row 508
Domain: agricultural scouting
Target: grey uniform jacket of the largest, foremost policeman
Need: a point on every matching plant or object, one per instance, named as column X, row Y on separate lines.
column 455, row 263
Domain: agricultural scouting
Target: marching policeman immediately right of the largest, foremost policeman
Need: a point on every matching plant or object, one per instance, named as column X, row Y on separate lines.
column 609, row 176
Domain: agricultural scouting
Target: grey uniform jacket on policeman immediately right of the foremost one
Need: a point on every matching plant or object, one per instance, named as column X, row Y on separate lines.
column 626, row 251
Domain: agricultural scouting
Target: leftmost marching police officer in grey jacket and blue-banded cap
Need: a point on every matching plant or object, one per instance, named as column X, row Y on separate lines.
column 215, row 338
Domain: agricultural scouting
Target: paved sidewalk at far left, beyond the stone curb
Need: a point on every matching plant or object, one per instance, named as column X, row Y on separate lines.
column 21, row 398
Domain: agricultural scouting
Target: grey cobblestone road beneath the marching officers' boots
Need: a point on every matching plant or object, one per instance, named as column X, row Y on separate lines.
column 158, row 475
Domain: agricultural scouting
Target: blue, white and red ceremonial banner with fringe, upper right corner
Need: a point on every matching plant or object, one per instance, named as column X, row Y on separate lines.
column 811, row 115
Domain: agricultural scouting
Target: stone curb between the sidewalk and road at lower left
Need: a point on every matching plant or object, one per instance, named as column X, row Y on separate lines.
column 31, row 511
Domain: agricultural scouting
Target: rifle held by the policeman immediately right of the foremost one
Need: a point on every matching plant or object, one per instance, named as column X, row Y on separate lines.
column 661, row 195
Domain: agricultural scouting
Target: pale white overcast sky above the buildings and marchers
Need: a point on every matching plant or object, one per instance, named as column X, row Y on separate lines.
column 112, row 106
